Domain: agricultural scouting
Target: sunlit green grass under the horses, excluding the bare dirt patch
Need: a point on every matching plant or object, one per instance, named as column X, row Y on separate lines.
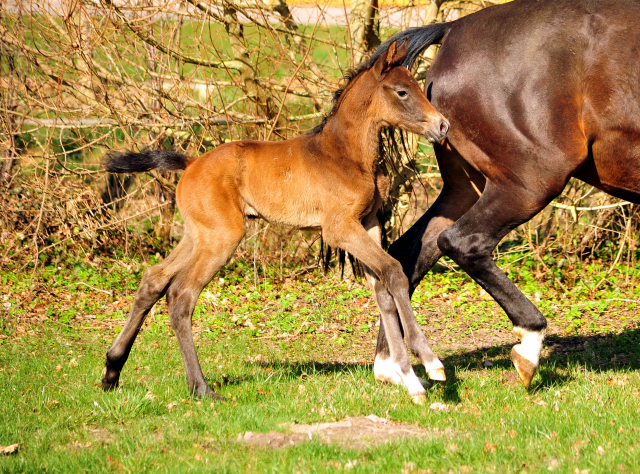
column 300, row 351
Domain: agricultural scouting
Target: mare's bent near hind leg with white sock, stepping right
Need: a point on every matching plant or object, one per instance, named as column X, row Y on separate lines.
column 470, row 243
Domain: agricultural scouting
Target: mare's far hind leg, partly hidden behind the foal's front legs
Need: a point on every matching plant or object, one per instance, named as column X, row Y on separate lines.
column 417, row 249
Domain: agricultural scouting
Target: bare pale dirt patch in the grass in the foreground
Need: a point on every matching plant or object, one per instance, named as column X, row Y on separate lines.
column 352, row 432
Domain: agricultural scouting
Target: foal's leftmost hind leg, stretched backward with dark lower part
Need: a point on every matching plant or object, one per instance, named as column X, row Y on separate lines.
column 154, row 283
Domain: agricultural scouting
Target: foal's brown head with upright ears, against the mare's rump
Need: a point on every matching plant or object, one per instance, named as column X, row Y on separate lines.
column 399, row 101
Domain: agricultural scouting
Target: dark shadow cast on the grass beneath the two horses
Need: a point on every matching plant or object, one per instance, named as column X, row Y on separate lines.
column 596, row 353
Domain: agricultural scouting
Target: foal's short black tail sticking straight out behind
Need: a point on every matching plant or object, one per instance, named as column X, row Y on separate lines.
column 132, row 162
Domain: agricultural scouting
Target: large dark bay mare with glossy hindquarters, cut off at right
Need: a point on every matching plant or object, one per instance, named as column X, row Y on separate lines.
column 536, row 92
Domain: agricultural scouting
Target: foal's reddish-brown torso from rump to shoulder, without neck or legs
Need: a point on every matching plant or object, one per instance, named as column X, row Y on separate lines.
column 293, row 182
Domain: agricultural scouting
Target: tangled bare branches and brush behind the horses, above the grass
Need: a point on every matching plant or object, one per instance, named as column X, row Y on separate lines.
column 80, row 77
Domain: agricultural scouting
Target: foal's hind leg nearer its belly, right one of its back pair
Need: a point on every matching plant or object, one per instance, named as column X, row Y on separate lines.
column 212, row 250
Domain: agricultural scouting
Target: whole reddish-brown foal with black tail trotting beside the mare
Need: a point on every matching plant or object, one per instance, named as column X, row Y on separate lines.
column 328, row 179
